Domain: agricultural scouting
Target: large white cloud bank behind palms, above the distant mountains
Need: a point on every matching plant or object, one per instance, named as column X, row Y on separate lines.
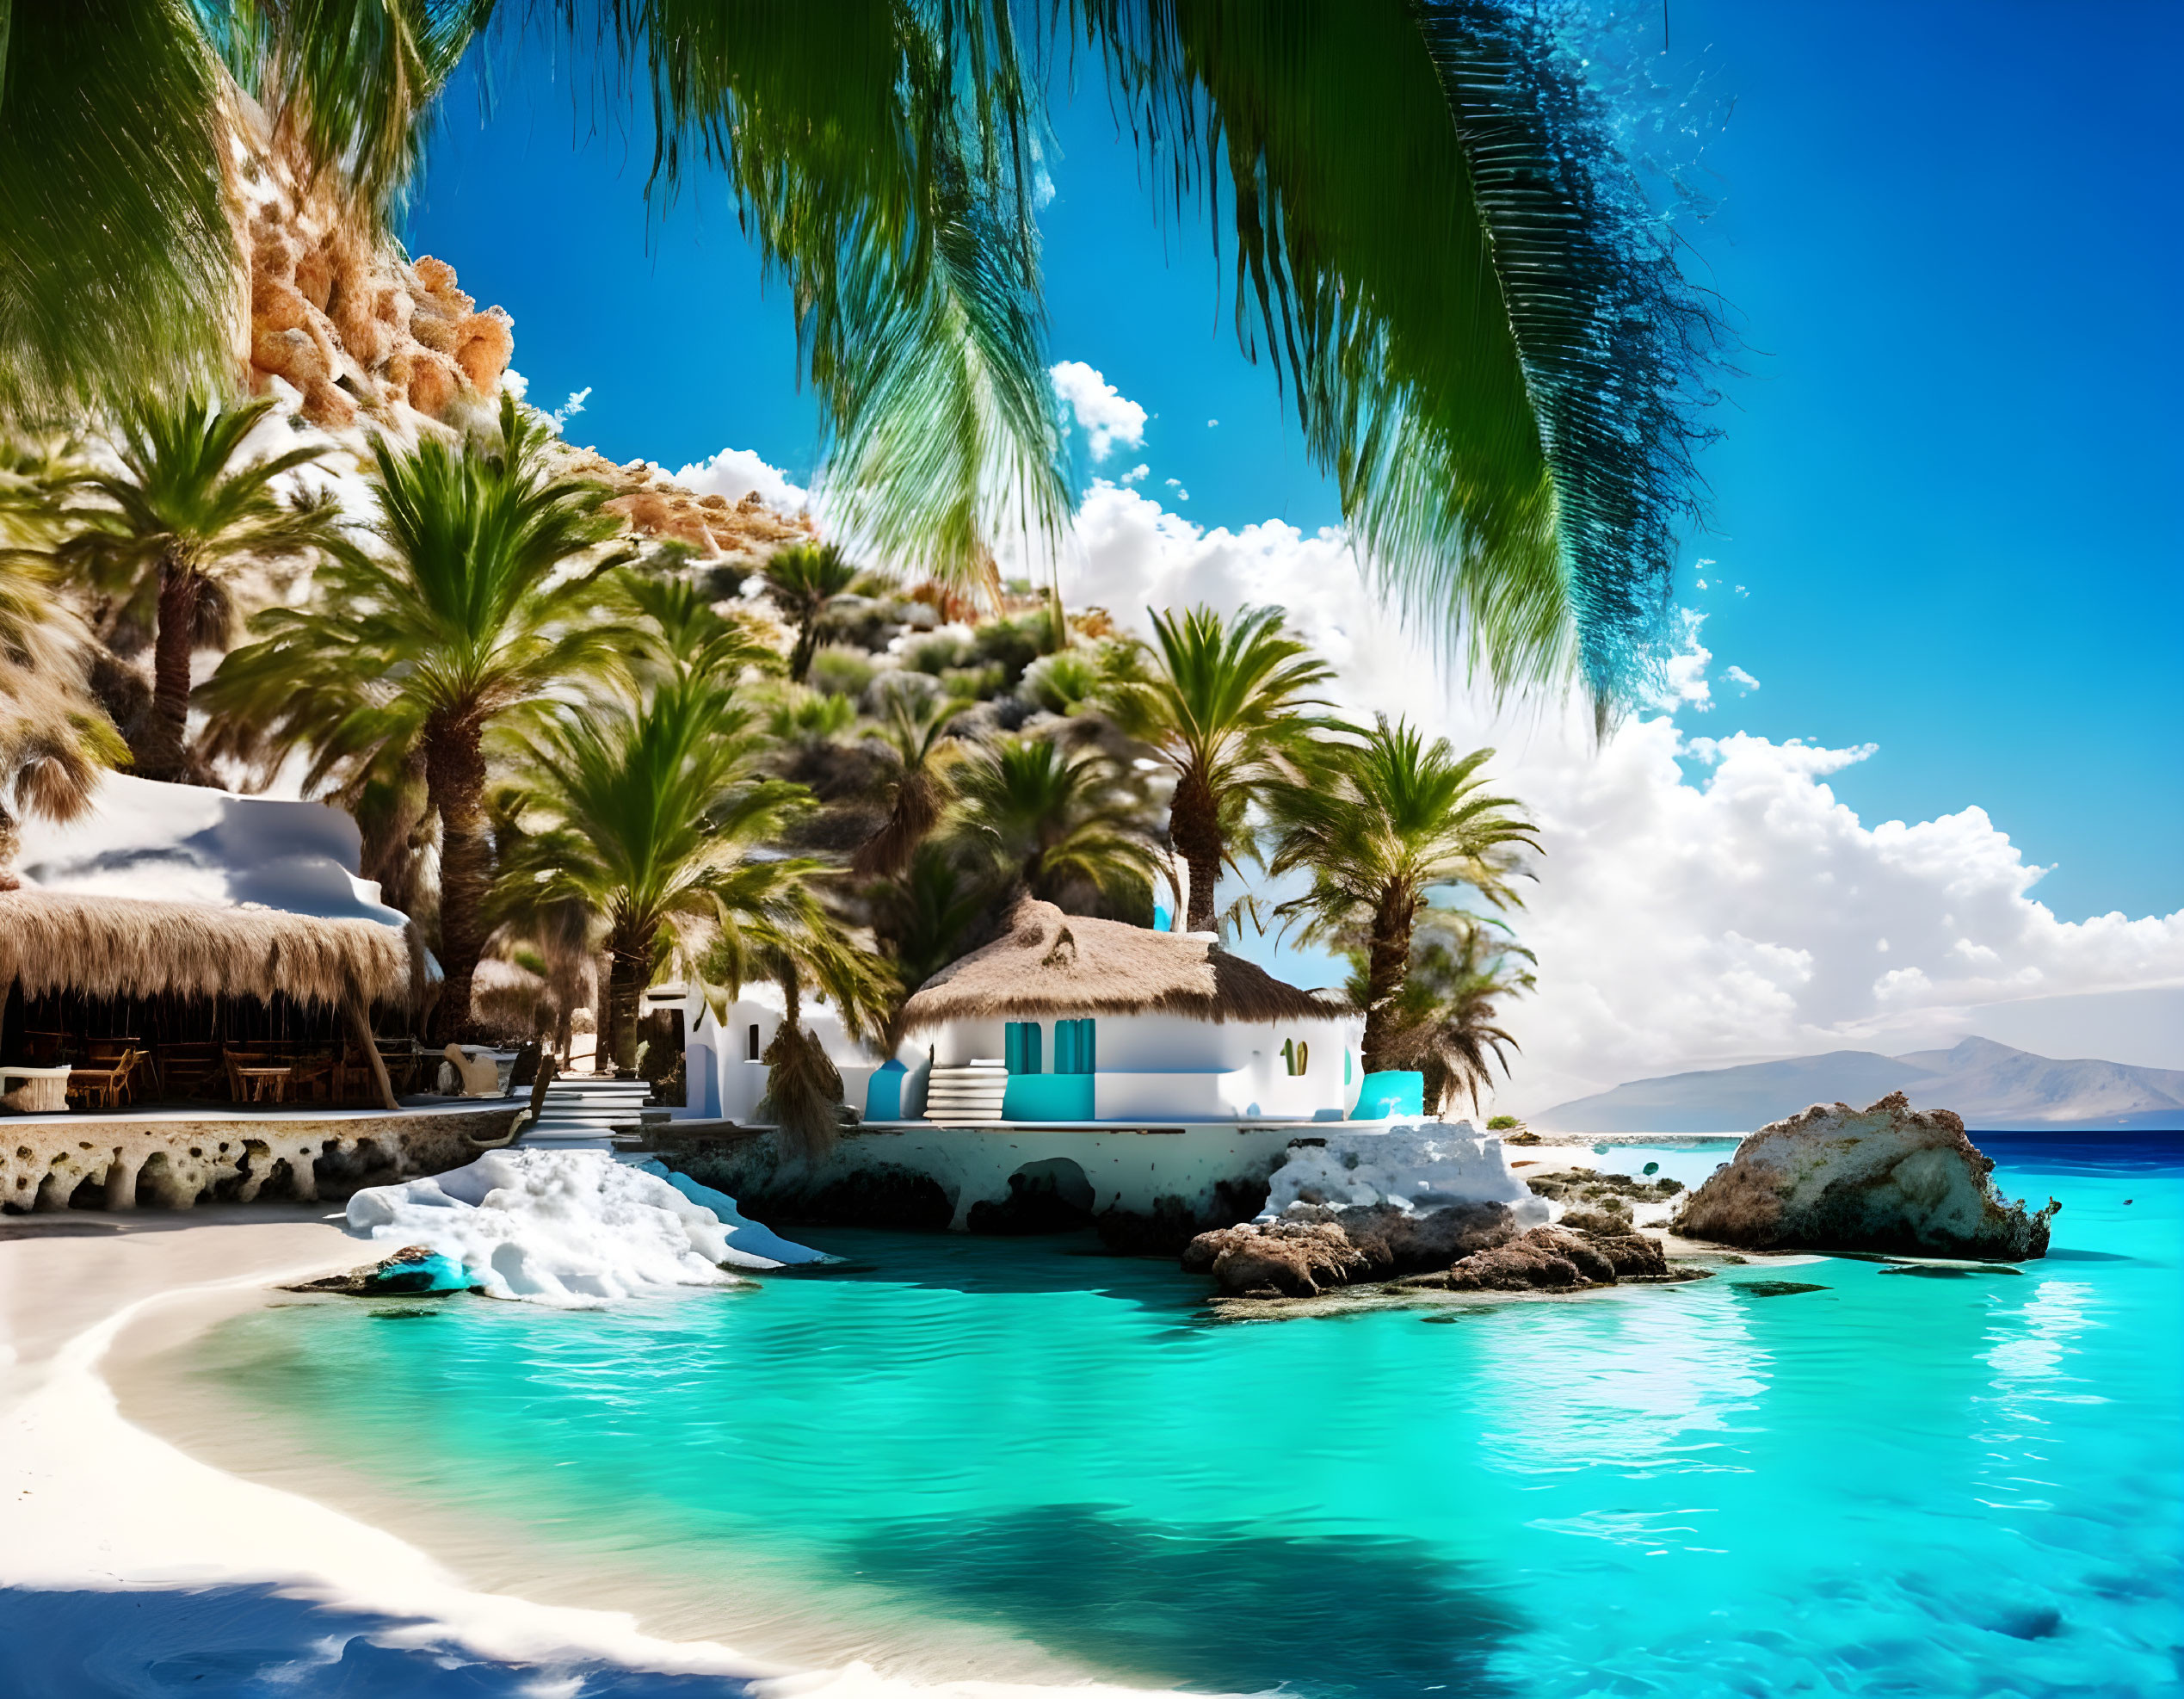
column 1681, row 923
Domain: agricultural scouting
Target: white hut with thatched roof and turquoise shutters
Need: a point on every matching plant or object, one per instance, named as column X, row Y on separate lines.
column 1078, row 1019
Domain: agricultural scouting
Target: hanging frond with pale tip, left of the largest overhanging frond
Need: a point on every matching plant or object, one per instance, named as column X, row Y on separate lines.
column 883, row 161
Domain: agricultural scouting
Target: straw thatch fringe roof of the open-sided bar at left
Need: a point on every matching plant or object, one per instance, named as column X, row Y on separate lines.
column 130, row 949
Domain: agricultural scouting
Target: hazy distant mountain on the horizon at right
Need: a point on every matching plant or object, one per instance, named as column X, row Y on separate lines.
column 1989, row 1084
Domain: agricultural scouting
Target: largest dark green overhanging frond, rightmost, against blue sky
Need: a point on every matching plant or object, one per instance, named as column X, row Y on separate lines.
column 1491, row 346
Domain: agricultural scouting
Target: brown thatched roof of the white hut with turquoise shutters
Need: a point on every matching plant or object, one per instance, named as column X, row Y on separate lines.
column 1054, row 964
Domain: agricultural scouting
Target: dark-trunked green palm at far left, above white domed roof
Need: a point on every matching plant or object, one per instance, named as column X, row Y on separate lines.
column 171, row 525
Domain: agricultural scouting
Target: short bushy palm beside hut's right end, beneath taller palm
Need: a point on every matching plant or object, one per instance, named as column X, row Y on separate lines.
column 1462, row 966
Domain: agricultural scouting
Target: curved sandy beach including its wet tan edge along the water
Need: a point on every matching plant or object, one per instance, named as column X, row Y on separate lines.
column 117, row 1475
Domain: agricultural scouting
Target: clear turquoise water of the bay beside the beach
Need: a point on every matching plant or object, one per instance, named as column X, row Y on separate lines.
column 1890, row 1486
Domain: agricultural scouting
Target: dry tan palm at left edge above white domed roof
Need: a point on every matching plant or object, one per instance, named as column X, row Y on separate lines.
column 54, row 737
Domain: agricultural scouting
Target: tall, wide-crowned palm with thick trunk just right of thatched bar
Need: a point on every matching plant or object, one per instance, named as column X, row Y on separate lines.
column 468, row 613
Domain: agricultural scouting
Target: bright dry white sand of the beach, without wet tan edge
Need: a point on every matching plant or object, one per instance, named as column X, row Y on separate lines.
column 91, row 1501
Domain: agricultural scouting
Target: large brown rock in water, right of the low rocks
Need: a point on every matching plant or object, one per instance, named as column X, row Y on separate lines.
column 1888, row 1178
